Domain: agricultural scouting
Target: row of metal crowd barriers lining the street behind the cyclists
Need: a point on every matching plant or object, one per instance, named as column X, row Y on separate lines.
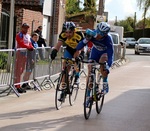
column 20, row 66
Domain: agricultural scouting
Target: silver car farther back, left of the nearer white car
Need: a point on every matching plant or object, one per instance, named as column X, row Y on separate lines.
column 130, row 42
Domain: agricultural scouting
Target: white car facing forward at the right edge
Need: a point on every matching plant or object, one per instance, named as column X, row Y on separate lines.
column 142, row 46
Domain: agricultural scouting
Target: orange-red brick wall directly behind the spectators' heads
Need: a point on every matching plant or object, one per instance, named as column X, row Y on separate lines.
column 33, row 18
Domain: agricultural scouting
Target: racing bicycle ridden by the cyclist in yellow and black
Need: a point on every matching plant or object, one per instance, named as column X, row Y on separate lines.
column 71, row 88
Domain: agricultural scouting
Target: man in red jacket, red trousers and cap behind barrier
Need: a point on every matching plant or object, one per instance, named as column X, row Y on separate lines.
column 22, row 41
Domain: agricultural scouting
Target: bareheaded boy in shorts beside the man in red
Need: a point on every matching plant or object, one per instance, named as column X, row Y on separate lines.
column 31, row 56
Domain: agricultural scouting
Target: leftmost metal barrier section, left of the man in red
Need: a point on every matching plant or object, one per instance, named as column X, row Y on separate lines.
column 6, row 69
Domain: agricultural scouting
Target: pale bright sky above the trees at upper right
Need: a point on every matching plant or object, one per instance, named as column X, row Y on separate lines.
column 122, row 9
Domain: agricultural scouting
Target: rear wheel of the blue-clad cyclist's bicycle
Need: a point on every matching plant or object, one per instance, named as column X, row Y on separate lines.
column 100, row 98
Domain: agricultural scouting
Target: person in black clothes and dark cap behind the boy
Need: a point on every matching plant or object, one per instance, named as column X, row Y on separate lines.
column 40, row 42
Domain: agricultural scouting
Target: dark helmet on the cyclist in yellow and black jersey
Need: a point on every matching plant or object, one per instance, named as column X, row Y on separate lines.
column 68, row 26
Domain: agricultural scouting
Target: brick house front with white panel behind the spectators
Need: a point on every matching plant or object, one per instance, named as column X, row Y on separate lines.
column 48, row 13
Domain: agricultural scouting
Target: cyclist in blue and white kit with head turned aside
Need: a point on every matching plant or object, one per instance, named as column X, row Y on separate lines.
column 102, row 50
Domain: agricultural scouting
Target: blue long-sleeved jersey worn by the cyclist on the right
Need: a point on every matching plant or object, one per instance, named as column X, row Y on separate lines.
column 104, row 45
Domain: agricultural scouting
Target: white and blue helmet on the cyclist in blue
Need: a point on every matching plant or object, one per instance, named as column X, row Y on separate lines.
column 103, row 28
